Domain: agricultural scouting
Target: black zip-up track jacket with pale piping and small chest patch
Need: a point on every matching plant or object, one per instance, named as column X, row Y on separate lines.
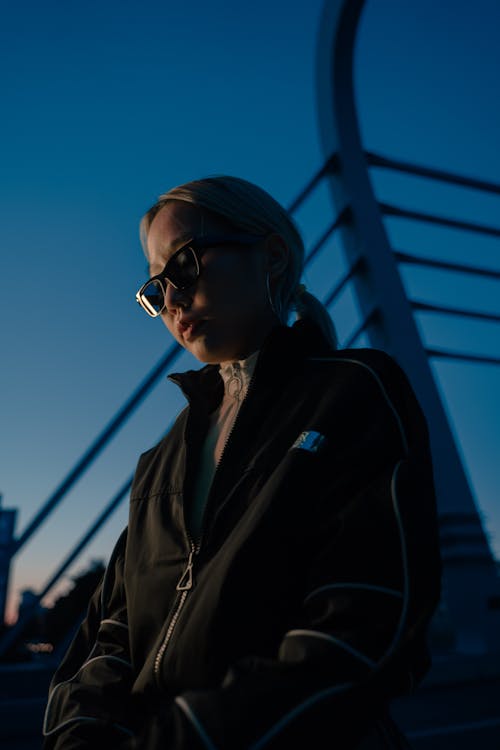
column 304, row 607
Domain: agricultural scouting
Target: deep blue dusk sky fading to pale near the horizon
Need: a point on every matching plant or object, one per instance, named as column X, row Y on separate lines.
column 106, row 105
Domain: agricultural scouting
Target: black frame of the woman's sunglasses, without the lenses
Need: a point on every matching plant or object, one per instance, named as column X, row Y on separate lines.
column 198, row 246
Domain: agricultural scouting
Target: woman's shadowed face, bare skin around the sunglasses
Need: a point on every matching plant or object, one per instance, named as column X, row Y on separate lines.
column 226, row 314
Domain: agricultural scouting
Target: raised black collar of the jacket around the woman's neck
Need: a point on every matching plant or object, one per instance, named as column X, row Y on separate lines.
column 285, row 347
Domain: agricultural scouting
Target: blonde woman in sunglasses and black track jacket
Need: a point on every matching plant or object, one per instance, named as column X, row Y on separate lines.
column 281, row 564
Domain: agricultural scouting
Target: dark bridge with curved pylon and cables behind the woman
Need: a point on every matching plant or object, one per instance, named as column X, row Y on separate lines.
column 458, row 704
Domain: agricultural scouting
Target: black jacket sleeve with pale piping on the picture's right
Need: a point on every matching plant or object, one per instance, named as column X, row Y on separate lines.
column 370, row 590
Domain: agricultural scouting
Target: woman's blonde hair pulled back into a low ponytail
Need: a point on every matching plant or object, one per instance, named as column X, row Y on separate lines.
column 251, row 209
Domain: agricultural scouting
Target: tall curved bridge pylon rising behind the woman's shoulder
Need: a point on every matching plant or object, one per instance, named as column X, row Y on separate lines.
column 470, row 578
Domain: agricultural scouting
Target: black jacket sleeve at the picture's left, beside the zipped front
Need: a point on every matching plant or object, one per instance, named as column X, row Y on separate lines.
column 89, row 693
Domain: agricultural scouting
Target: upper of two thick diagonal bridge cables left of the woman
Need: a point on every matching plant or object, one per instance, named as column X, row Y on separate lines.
column 97, row 446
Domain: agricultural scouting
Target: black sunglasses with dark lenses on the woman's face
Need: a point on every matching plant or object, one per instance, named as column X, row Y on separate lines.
column 183, row 269
